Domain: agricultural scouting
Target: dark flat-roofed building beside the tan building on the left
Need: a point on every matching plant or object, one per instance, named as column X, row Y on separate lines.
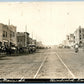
column 22, row 39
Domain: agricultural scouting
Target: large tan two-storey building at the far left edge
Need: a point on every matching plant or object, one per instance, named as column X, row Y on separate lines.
column 7, row 35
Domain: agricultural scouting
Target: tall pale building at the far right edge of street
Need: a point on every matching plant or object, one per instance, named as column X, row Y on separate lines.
column 79, row 36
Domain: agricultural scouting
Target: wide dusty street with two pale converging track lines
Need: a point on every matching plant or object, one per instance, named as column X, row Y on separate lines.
column 45, row 63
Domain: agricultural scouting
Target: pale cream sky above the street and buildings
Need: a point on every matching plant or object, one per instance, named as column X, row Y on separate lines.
column 48, row 22
